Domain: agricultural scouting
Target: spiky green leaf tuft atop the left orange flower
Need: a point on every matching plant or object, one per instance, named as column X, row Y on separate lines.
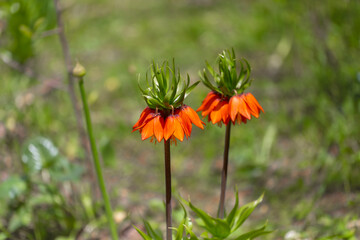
column 167, row 89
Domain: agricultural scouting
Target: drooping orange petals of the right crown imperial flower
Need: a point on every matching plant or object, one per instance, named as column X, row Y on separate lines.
column 237, row 108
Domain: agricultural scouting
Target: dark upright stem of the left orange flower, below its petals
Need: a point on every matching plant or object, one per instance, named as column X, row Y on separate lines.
column 168, row 189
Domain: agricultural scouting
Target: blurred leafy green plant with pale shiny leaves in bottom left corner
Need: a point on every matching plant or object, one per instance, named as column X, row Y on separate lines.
column 35, row 204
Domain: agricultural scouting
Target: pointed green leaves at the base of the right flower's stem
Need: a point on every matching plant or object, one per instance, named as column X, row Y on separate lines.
column 229, row 228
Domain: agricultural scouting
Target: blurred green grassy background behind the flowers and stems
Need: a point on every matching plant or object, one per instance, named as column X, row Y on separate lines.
column 304, row 152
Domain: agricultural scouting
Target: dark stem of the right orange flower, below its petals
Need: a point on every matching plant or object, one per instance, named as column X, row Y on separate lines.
column 221, row 211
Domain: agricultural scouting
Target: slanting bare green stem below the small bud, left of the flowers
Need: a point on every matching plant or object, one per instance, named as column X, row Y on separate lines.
column 98, row 170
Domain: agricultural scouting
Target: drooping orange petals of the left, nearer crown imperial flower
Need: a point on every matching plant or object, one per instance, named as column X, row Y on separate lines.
column 158, row 124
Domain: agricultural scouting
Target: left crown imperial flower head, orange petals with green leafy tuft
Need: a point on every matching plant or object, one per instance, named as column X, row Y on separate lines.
column 166, row 116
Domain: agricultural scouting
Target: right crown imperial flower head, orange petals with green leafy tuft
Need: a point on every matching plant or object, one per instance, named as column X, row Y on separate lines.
column 227, row 100
